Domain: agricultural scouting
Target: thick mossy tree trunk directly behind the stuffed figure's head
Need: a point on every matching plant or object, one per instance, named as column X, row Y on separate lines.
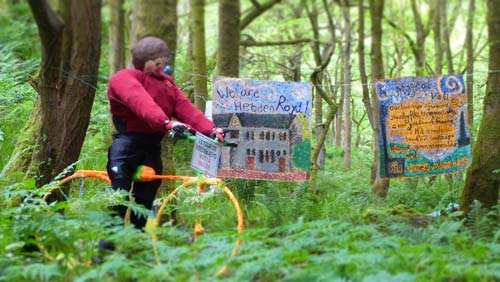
column 159, row 18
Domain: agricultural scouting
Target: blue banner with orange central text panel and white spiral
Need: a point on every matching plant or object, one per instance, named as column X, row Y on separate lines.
column 423, row 126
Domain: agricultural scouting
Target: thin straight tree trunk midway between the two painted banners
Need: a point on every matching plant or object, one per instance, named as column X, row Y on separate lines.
column 347, row 88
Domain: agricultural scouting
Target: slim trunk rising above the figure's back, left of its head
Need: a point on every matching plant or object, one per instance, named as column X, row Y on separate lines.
column 116, row 36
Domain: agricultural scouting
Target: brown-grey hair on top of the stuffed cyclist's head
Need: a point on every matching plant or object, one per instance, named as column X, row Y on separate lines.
column 148, row 48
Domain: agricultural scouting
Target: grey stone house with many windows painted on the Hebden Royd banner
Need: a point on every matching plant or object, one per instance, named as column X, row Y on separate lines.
column 265, row 142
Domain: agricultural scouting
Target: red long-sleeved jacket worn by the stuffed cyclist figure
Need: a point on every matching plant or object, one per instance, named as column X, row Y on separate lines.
column 144, row 102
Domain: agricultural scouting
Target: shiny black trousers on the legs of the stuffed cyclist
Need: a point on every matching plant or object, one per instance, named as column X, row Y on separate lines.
column 129, row 151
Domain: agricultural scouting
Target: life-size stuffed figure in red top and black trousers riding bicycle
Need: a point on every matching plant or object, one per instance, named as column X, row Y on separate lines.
column 145, row 104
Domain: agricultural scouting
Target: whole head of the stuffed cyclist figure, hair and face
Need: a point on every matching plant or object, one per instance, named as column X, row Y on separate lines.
column 150, row 54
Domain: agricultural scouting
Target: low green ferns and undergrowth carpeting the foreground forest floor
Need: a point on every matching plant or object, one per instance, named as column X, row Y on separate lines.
column 339, row 233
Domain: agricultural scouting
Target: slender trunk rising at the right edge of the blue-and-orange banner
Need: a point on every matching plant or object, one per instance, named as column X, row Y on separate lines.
column 469, row 45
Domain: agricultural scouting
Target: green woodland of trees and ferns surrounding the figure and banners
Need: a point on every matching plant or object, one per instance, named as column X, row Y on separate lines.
column 345, row 224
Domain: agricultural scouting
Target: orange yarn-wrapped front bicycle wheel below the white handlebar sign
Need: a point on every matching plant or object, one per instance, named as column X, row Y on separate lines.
column 202, row 205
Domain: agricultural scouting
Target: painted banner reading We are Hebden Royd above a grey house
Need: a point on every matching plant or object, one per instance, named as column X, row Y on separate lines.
column 271, row 123
